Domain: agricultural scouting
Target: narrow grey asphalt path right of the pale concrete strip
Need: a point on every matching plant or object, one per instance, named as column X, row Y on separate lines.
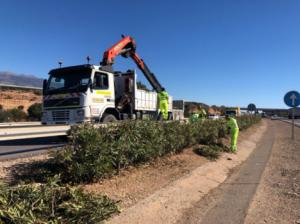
column 228, row 203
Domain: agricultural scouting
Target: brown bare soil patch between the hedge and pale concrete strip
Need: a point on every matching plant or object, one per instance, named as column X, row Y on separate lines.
column 137, row 183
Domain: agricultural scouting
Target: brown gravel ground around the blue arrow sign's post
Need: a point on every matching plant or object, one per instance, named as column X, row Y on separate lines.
column 277, row 199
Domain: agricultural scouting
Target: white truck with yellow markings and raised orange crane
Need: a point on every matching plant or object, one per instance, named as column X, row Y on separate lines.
column 97, row 93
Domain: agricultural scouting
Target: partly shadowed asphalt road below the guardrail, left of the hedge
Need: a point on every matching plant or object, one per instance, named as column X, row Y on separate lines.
column 27, row 147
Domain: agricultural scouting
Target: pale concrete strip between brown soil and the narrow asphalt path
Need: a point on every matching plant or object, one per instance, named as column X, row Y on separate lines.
column 168, row 204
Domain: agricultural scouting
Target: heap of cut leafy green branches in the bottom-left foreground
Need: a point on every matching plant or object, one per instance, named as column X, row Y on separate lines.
column 52, row 203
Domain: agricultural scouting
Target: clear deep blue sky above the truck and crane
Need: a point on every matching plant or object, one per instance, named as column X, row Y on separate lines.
column 223, row 52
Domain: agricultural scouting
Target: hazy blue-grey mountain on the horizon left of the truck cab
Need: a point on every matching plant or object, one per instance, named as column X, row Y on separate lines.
column 11, row 78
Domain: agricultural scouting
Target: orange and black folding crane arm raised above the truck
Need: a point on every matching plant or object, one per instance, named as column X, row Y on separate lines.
column 126, row 47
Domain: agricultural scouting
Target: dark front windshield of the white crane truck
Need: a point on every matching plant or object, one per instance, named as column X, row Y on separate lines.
column 69, row 81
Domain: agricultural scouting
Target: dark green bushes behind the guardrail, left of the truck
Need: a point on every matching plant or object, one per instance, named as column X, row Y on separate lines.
column 34, row 112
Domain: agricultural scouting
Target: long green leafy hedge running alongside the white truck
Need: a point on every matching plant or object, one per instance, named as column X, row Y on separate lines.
column 95, row 153
